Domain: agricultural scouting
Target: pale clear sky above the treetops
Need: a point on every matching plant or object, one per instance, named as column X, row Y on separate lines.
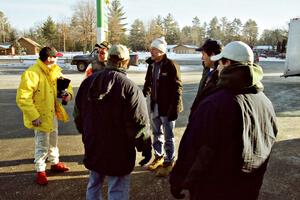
column 25, row 14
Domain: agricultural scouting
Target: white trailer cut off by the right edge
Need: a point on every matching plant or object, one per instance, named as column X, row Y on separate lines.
column 292, row 62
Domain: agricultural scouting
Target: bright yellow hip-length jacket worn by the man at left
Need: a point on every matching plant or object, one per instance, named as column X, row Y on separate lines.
column 36, row 96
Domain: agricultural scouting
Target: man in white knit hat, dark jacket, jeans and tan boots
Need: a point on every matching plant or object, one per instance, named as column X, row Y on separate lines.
column 164, row 86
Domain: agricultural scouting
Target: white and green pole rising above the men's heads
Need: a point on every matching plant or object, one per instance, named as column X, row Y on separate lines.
column 102, row 20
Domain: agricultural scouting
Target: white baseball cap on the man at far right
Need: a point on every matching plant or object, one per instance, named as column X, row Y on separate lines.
column 237, row 51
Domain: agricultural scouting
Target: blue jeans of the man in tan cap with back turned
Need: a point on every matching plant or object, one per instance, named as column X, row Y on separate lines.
column 118, row 187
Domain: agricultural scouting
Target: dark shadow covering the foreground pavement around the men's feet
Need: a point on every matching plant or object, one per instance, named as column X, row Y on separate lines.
column 281, row 179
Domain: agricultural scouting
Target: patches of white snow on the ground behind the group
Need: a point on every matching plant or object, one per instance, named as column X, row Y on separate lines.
column 64, row 62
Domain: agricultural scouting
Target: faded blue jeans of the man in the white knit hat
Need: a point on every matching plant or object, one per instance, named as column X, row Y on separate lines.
column 163, row 136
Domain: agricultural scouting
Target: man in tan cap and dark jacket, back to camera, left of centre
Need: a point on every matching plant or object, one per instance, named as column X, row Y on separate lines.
column 111, row 114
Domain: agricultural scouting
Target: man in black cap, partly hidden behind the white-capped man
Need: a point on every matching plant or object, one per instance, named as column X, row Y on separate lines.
column 209, row 75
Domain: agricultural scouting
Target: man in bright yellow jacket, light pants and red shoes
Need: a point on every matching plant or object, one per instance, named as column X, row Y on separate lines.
column 37, row 98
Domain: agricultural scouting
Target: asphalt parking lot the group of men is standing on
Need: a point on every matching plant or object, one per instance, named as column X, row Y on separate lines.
column 281, row 182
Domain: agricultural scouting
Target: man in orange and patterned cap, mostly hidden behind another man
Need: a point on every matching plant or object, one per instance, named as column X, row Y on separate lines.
column 101, row 61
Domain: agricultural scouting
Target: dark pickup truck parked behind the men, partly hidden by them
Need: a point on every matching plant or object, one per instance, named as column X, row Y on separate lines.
column 82, row 61
